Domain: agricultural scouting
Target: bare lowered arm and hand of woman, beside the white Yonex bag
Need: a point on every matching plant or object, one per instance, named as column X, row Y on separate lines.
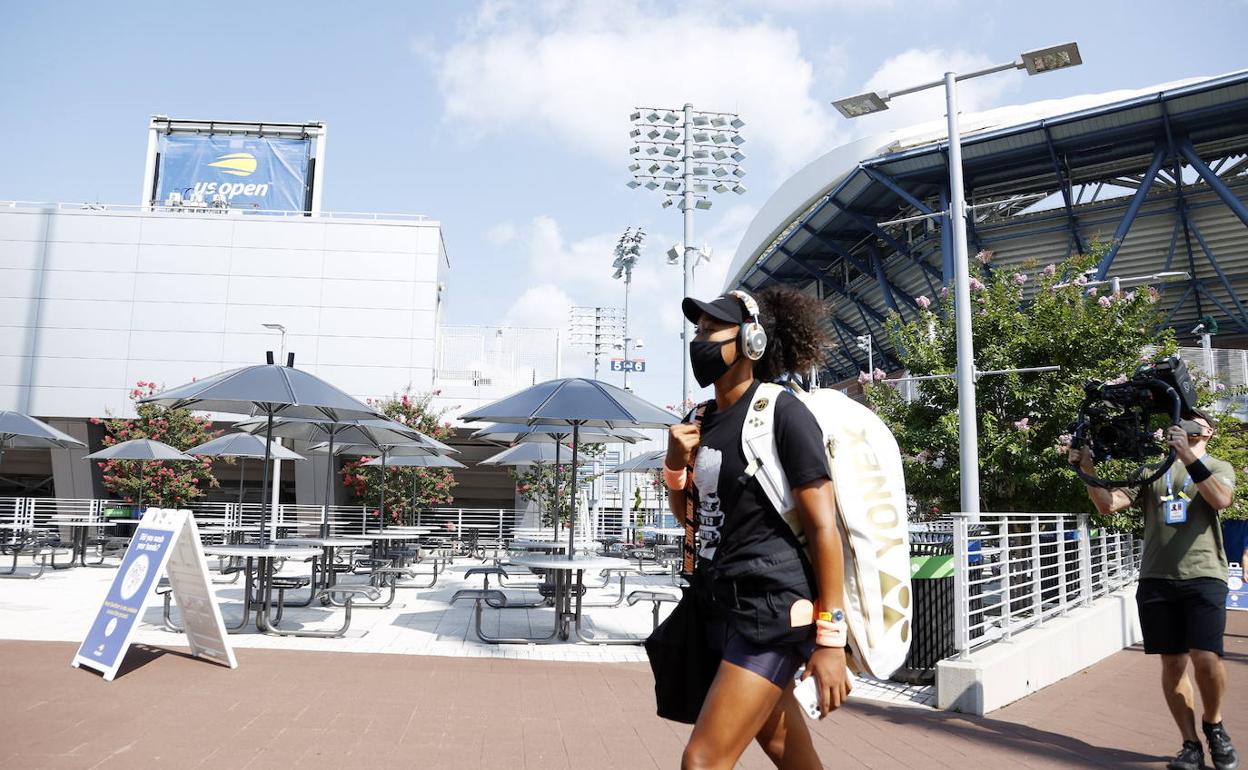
column 817, row 510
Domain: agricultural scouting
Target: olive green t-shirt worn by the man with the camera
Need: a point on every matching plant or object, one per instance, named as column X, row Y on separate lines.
column 1181, row 552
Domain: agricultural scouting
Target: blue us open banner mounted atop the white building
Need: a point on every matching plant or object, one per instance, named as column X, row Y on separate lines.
column 245, row 172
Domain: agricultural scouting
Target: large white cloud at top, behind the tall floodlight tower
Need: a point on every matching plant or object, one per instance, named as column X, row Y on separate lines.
column 576, row 71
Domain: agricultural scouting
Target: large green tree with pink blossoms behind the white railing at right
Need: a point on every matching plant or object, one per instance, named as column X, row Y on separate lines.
column 1023, row 417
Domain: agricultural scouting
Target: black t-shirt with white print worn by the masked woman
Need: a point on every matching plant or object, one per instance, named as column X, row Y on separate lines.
column 736, row 521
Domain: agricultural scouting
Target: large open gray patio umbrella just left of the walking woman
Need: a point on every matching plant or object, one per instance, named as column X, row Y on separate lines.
column 577, row 402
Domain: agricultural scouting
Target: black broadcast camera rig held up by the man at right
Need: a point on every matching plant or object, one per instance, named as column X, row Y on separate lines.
column 1116, row 420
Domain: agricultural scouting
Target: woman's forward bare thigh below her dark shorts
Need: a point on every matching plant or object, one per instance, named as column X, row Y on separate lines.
column 737, row 708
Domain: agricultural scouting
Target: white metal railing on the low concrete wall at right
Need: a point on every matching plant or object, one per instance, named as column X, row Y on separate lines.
column 1018, row 571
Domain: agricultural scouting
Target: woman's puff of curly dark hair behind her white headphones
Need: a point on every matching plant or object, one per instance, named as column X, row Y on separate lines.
column 797, row 340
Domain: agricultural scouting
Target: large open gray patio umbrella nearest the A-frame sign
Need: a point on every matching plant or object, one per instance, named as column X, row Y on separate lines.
column 270, row 391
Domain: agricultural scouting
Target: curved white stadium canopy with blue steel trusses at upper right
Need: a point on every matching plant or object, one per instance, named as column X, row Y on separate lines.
column 1160, row 175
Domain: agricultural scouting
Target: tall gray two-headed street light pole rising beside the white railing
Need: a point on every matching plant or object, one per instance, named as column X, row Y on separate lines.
column 1036, row 63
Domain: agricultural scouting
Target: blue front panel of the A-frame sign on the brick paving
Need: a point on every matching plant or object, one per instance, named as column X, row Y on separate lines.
column 140, row 568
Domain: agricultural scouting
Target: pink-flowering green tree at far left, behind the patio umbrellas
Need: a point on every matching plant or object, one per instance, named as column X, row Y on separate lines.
column 160, row 482
